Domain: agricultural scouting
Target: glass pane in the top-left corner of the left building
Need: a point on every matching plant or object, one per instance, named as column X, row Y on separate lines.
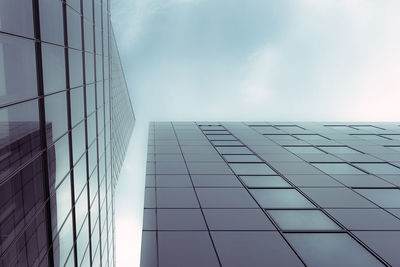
column 16, row 17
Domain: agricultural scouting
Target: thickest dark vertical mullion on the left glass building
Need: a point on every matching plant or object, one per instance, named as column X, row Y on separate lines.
column 43, row 134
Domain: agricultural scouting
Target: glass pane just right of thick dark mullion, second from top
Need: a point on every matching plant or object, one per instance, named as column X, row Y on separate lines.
column 53, row 68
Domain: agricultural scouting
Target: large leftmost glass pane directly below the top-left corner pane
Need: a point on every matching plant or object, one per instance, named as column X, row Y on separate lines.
column 17, row 68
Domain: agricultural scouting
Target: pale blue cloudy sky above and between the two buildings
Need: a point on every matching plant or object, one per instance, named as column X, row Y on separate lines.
column 255, row 60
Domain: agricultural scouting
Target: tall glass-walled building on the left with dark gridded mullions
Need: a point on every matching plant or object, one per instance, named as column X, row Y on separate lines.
column 65, row 123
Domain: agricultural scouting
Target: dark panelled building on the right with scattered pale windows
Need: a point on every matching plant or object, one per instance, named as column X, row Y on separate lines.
column 272, row 194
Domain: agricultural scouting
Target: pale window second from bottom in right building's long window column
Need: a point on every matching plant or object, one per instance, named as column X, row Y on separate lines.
column 303, row 220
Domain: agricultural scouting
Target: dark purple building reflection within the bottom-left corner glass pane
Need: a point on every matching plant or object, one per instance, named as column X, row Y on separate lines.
column 22, row 215
